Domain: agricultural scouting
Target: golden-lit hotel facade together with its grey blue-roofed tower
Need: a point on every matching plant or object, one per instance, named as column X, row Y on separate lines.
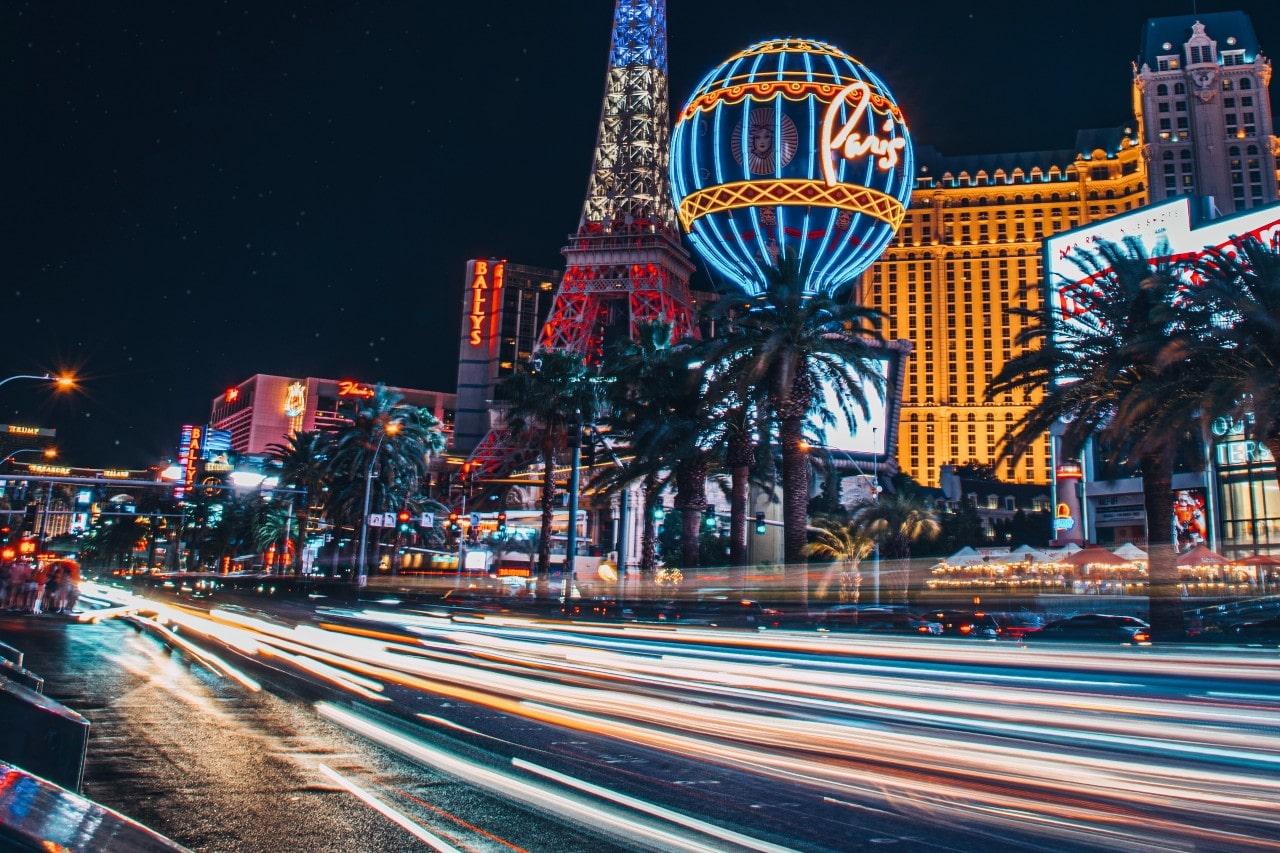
column 972, row 243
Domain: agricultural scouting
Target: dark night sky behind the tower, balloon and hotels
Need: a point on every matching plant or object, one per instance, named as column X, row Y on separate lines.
column 199, row 191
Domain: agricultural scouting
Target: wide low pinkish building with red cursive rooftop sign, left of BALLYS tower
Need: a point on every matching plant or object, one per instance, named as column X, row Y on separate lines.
column 266, row 409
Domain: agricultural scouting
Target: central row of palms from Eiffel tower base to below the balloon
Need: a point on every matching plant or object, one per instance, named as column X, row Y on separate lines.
column 687, row 408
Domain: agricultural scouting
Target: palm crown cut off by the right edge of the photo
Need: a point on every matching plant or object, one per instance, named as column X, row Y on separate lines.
column 1233, row 337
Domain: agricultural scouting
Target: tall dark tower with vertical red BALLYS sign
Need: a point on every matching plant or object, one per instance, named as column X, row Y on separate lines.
column 505, row 308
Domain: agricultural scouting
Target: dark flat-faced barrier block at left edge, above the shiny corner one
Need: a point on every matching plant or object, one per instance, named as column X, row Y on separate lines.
column 42, row 736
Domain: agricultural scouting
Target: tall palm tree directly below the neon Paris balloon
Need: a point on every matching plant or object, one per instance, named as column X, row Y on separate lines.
column 789, row 346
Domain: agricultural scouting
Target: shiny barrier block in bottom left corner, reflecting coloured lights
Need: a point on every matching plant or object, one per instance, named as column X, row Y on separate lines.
column 38, row 815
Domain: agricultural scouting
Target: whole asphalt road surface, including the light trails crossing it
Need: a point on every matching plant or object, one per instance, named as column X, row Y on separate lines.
column 501, row 733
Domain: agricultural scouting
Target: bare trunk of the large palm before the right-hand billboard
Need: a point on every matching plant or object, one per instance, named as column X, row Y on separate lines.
column 1164, row 590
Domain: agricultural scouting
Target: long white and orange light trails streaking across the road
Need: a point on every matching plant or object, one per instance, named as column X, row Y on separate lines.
column 1116, row 749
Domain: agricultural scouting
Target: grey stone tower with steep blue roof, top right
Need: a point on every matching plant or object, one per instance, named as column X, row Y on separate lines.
column 1200, row 92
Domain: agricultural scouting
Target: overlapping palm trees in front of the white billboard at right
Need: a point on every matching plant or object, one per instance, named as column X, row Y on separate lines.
column 1156, row 353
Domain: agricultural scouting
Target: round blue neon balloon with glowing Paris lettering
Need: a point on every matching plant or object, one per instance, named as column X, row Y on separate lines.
column 792, row 147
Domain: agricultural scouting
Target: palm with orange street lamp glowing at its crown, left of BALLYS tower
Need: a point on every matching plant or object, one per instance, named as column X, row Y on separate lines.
column 390, row 443
